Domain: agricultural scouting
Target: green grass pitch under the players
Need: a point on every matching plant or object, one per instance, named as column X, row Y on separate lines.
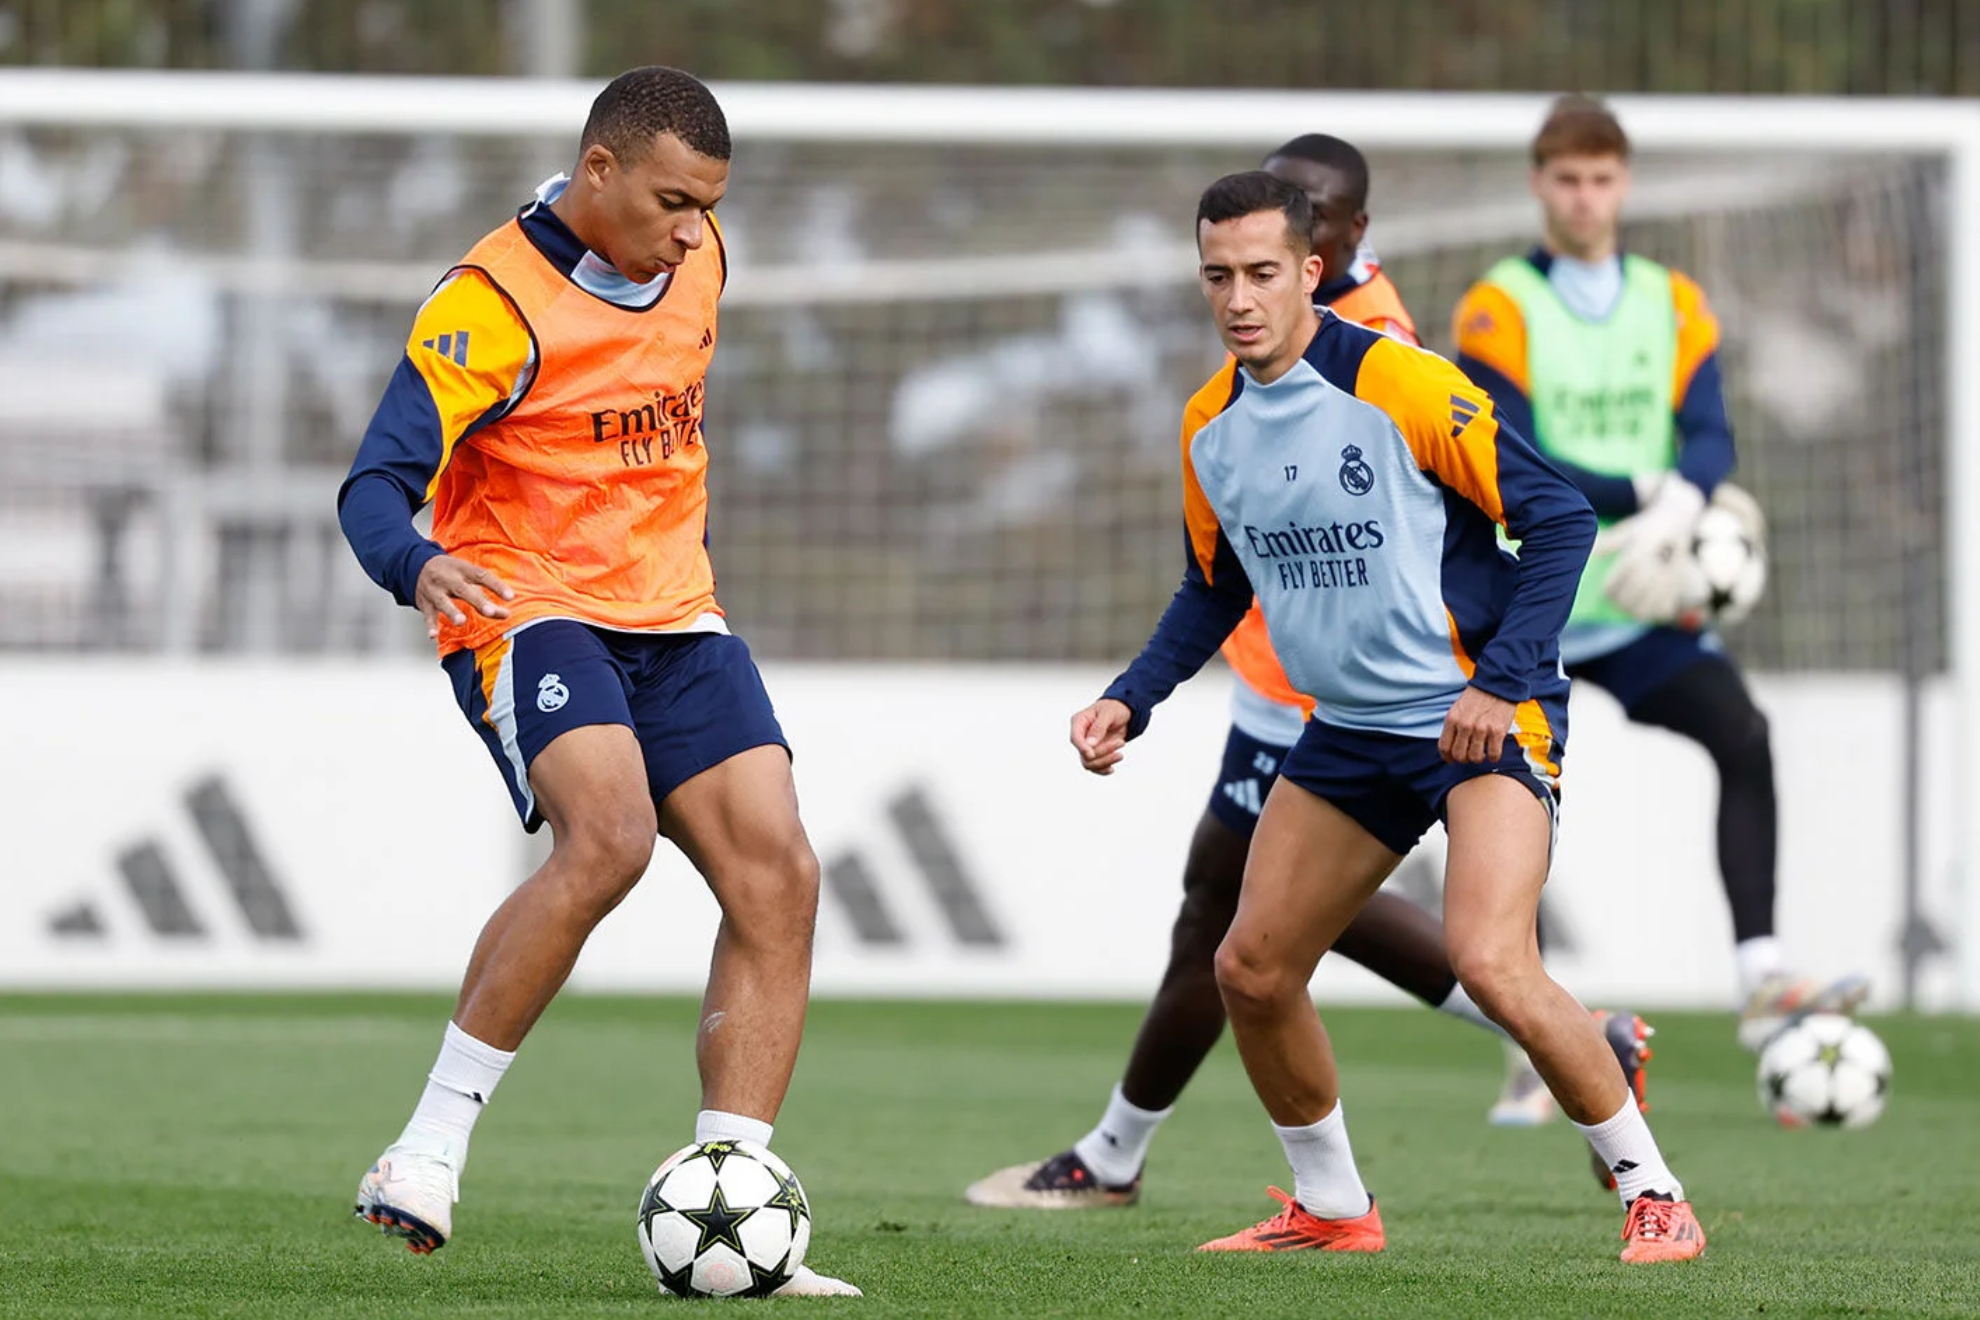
column 195, row 1157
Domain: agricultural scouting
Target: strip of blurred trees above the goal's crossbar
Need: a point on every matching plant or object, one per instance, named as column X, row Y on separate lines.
column 1668, row 47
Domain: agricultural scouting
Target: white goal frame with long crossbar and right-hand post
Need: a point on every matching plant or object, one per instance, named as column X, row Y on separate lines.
column 1136, row 118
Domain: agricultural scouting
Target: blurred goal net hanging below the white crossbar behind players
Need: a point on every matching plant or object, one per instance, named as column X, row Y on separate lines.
column 943, row 415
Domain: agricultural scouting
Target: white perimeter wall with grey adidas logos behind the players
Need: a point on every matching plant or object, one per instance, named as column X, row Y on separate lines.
column 383, row 822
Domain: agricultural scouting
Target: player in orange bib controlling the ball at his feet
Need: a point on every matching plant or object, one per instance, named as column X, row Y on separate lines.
column 549, row 407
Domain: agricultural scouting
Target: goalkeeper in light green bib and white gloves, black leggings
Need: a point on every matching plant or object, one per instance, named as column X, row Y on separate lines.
column 1609, row 361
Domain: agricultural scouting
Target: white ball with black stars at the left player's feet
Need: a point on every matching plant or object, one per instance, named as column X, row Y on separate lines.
column 724, row 1220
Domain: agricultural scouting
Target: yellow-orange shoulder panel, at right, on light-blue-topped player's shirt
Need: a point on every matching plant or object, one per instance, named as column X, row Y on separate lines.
column 1446, row 421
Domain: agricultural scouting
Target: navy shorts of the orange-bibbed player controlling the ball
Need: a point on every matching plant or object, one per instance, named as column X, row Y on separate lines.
column 692, row 700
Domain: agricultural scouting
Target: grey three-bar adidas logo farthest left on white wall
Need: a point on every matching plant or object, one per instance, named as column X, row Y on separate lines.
column 159, row 894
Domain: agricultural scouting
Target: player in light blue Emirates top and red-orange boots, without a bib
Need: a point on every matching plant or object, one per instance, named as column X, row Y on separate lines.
column 1357, row 490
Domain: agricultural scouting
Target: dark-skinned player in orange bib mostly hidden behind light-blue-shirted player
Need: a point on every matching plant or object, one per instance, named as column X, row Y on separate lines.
column 1391, row 937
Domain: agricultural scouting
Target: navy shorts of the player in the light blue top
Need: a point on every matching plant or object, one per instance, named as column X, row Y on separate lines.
column 1395, row 787
